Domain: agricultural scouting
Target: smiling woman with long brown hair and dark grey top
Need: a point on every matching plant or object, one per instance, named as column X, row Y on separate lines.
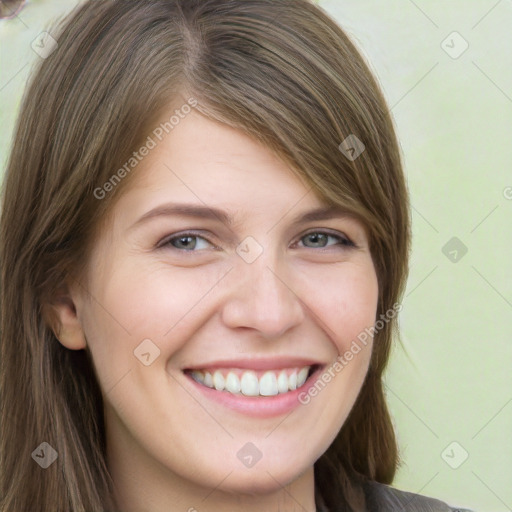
column 204, row 240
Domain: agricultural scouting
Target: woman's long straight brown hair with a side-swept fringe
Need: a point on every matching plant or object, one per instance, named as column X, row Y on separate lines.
column 280, row 70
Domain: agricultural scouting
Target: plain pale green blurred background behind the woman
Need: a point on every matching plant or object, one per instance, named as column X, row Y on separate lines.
column 446, row 70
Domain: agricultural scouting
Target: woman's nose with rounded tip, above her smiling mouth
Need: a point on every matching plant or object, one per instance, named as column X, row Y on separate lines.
column 262, row 298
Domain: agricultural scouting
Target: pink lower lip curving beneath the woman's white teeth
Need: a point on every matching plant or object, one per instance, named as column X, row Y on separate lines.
column 258, row 406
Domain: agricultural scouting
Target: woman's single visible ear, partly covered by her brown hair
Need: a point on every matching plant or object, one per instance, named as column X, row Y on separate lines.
column 63, row 319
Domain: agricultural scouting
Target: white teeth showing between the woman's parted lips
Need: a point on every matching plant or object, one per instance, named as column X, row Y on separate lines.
column 237, row 381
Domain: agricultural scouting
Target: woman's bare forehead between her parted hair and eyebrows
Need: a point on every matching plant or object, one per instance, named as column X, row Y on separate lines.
column 207, row 162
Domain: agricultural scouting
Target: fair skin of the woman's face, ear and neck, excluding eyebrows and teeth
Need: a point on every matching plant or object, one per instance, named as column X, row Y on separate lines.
column 174, row 444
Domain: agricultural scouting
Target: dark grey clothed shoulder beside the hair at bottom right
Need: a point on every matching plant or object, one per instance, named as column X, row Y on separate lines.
column 383, row 498
